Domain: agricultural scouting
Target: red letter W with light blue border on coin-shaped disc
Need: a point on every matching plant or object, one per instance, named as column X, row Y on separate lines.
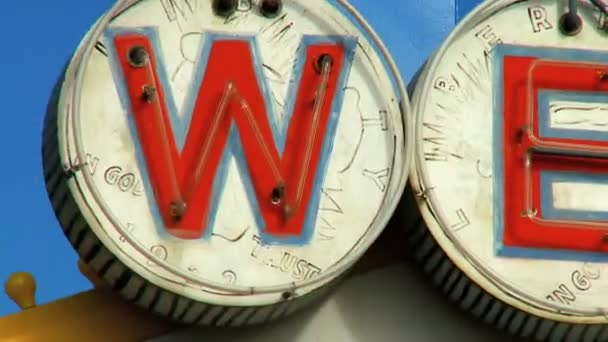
column 230, row 115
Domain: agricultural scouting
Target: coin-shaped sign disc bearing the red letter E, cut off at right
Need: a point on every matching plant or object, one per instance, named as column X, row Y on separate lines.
column 512, row 168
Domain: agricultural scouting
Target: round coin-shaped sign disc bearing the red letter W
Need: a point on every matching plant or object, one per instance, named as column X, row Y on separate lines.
column 225, row 162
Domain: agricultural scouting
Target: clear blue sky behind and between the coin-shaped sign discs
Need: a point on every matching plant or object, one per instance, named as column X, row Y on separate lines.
column 37, row 38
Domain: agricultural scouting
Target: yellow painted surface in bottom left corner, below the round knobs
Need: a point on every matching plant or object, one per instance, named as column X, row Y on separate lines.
column 96, row 315
